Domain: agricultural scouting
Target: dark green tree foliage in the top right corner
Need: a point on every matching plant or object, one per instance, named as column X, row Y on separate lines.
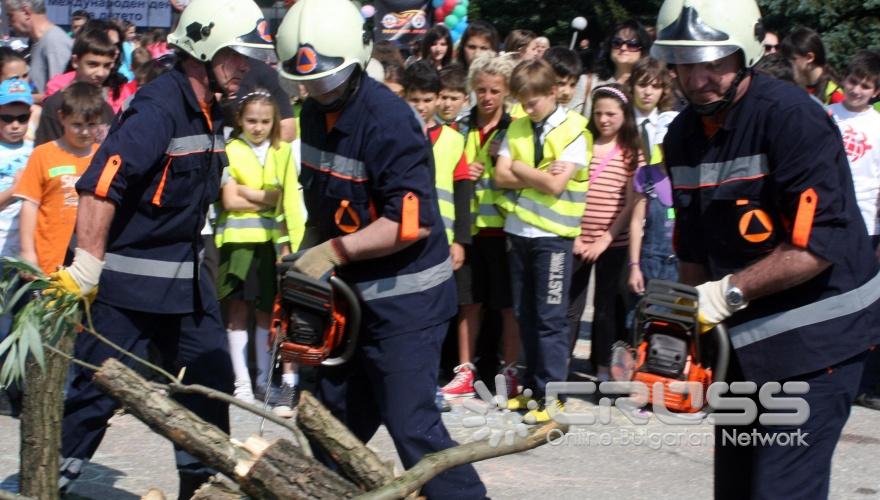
column 846, row 25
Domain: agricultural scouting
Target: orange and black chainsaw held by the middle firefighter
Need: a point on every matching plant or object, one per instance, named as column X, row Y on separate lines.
column 314, row 321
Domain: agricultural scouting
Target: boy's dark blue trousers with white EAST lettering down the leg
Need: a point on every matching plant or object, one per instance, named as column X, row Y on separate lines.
column 540, row 278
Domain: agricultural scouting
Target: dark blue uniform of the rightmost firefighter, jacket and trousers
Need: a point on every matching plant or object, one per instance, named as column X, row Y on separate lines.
column 776, row 172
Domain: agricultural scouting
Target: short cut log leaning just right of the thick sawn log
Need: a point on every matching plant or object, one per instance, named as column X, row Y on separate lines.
column 357, row 462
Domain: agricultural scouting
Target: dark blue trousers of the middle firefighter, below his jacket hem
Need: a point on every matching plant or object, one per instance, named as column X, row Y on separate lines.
column 392, row 381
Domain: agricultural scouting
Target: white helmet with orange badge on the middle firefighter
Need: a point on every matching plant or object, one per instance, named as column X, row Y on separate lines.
column 321, row 42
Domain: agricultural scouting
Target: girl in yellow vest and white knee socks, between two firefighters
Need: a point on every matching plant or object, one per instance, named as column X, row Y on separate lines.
column 246, row 234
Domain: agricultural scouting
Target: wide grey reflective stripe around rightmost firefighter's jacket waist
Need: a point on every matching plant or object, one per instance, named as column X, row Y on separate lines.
column 827, row 309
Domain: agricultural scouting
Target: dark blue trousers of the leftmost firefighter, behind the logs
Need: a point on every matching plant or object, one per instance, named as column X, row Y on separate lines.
column 196, row 341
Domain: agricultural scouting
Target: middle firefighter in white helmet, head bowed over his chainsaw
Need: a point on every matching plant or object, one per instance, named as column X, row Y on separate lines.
column 373, row 217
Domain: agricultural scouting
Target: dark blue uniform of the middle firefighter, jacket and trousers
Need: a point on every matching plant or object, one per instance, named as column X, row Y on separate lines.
column 371, row 157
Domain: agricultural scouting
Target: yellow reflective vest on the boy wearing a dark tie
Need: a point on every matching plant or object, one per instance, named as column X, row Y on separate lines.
column 560, row 215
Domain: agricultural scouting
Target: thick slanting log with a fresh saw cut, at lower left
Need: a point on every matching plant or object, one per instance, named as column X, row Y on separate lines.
column 247, row 463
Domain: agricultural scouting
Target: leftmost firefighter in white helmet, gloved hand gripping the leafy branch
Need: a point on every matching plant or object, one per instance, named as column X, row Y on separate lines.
column 142, row 205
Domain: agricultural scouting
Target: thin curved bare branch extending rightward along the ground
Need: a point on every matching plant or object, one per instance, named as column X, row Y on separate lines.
column 434, row 463
